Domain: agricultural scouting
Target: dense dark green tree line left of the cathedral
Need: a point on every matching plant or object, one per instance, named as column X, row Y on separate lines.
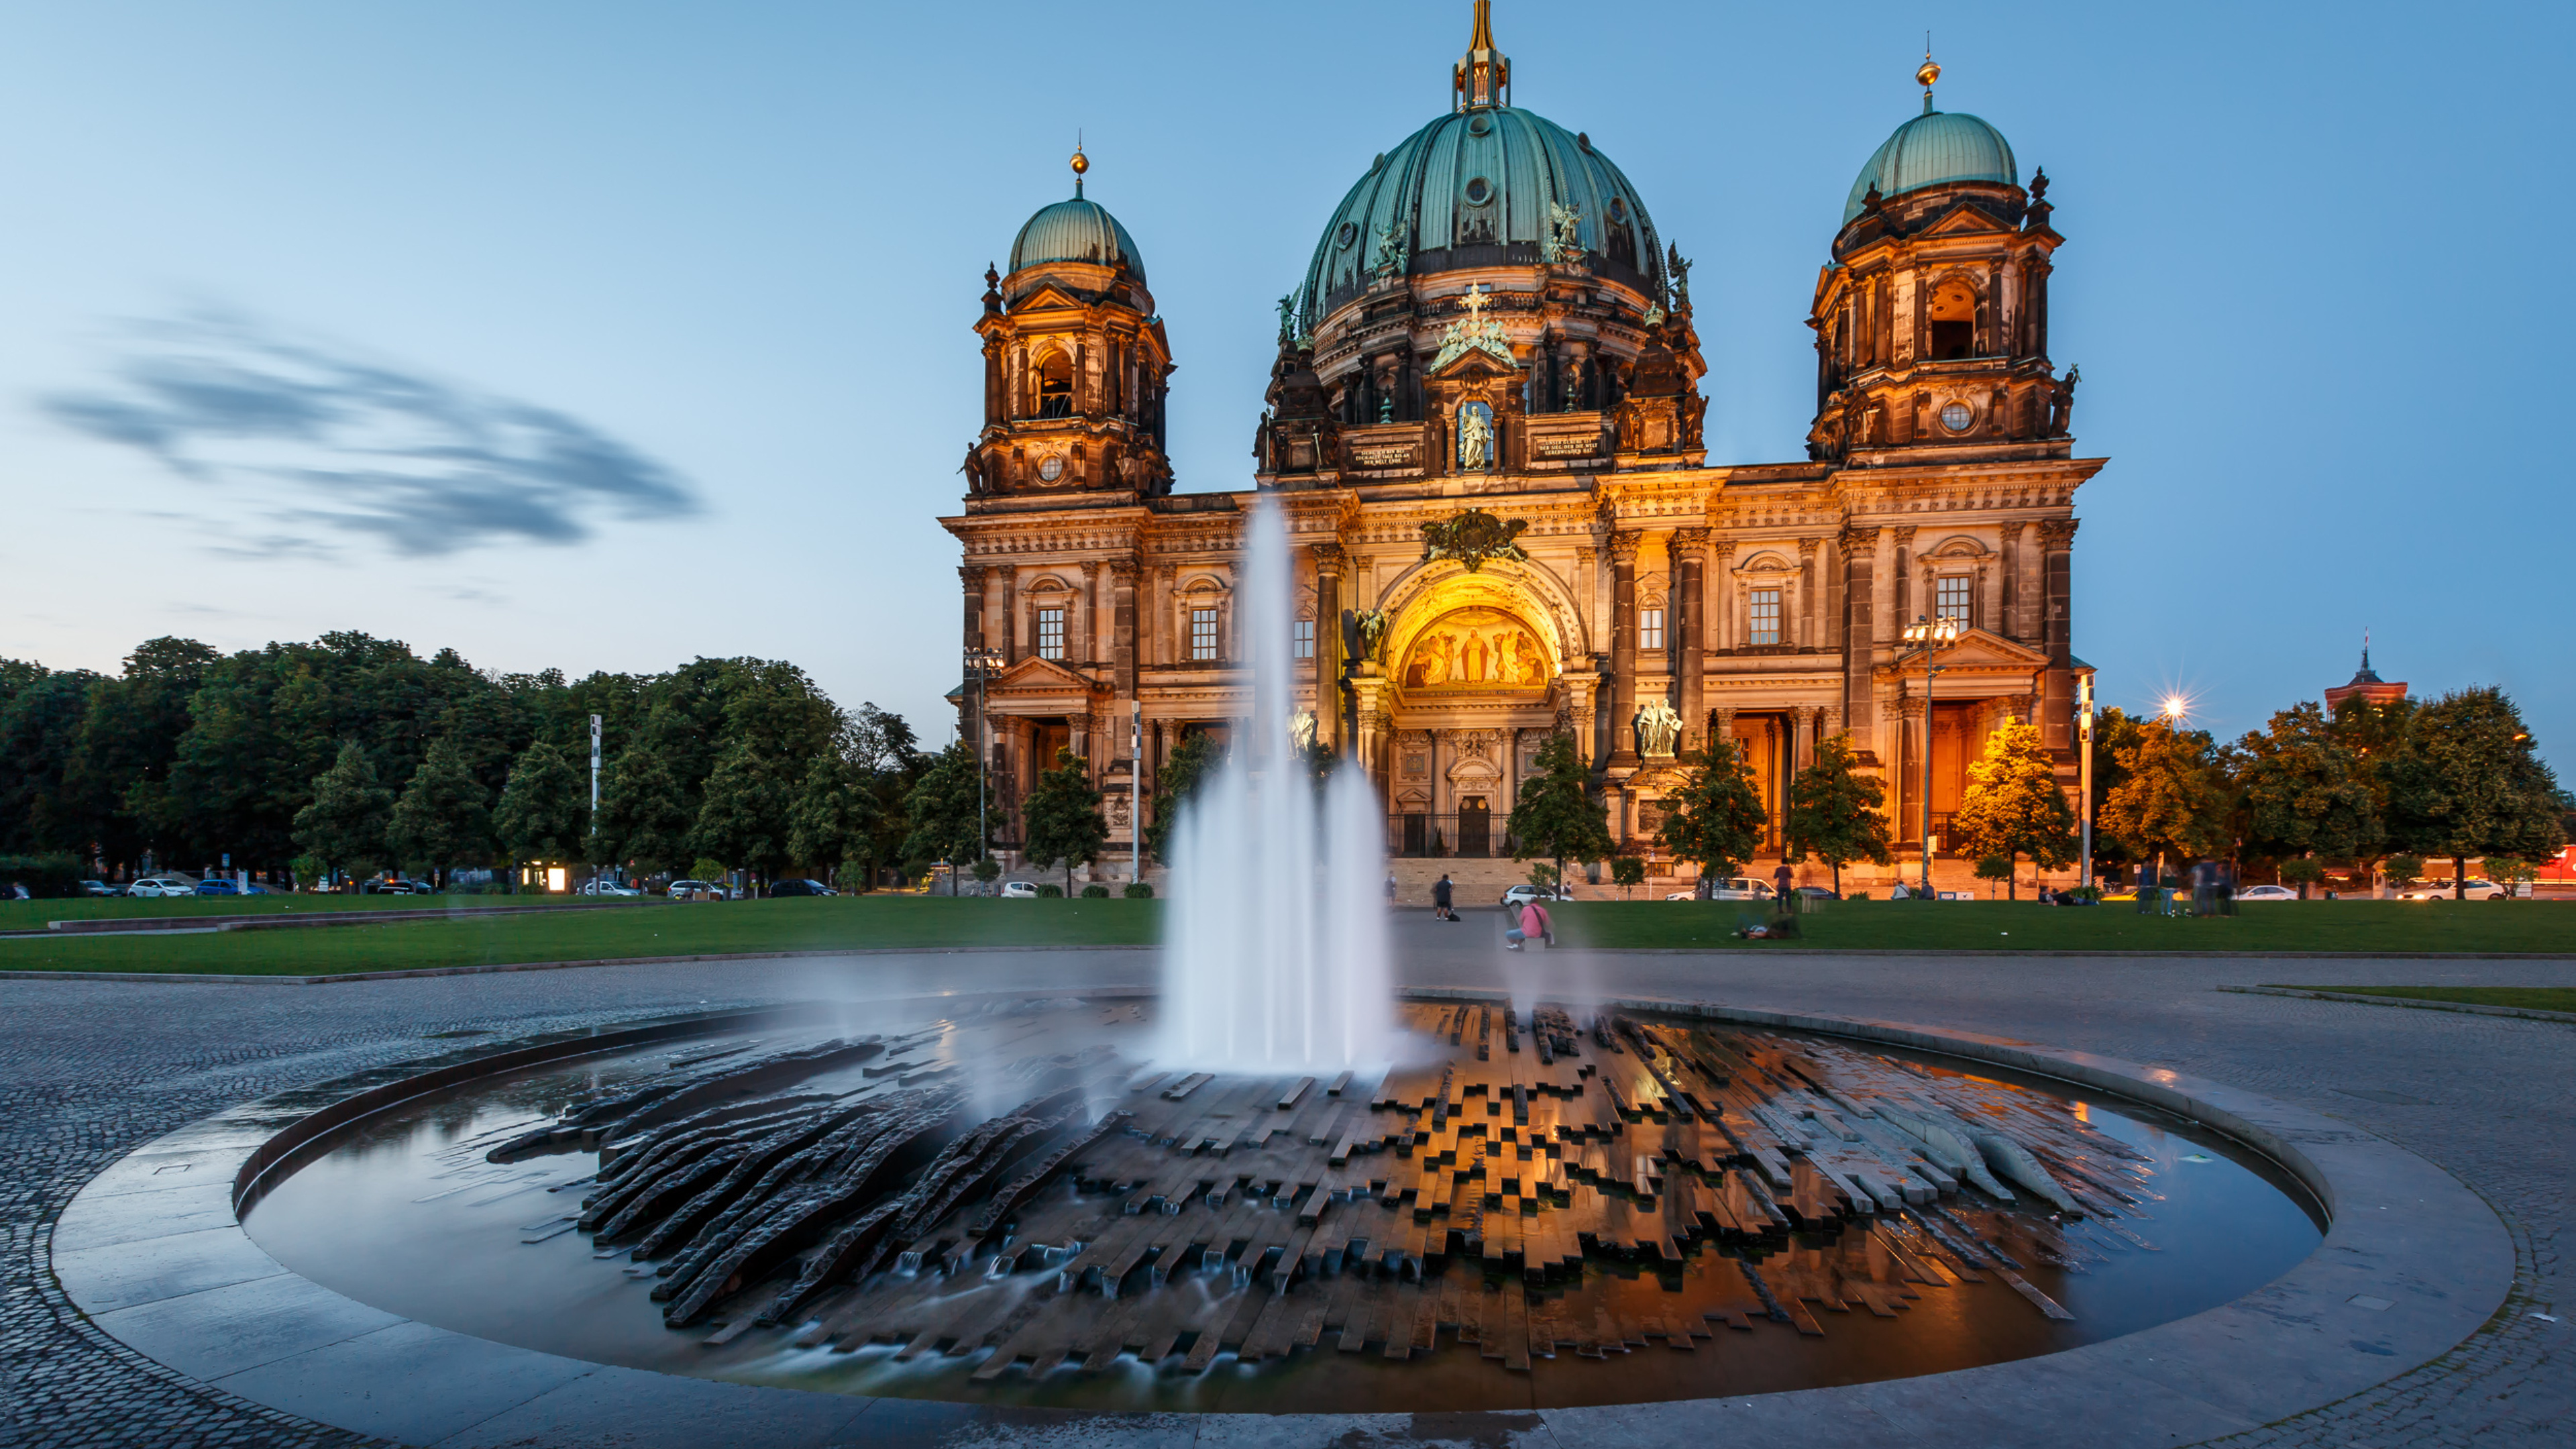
column 354, row 754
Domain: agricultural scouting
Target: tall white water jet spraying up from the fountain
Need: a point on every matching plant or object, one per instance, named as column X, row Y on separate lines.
column 1276, row 950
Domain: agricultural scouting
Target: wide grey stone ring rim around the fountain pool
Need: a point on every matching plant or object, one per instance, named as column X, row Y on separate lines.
column 156, row 1254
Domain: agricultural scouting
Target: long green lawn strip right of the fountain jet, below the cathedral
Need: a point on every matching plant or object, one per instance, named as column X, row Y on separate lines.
column 2021, row 927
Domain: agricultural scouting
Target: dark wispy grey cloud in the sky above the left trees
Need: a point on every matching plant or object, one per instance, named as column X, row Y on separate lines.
column 316, row 440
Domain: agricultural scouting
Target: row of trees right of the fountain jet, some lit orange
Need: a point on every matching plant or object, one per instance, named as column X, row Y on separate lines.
column 2374, row 788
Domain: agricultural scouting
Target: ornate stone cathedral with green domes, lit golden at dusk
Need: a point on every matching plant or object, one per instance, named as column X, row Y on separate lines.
column 1485, row 440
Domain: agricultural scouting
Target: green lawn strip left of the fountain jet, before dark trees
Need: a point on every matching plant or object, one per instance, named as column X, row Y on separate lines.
column 687, row 929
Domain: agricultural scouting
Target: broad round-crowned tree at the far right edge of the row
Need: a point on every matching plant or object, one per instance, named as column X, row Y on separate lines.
column 2472, row 785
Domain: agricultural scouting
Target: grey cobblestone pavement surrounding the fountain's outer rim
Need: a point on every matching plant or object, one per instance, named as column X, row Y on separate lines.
column 94, row 1069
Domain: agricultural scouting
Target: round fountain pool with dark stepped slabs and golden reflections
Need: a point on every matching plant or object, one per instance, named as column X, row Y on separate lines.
column 1526, row 1211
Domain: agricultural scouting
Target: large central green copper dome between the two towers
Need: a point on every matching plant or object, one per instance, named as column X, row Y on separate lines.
column 1475, row 190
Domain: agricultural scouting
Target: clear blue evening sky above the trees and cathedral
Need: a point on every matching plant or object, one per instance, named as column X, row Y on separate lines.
column 604, row 336
